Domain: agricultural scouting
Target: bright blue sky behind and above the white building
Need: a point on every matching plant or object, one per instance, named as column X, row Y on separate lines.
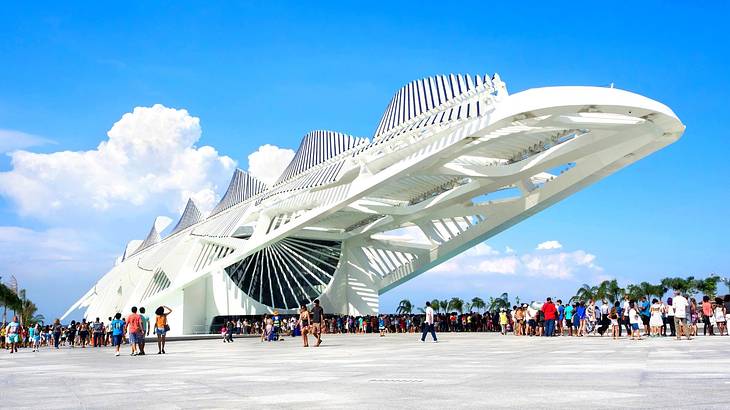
column 266, row 74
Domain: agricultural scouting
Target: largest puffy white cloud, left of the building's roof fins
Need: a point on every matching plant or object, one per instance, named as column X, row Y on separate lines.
column 150, row 155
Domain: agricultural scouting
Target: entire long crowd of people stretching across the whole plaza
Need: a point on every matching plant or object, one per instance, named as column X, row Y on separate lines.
column 677, row 316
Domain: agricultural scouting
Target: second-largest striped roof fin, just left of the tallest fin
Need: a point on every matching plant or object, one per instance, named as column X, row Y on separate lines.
column 317, row 147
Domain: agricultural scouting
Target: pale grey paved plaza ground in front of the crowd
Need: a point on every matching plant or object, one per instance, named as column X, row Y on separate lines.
column 398, row 371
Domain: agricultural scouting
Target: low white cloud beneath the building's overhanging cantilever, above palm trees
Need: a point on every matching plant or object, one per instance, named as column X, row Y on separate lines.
column 548, row 263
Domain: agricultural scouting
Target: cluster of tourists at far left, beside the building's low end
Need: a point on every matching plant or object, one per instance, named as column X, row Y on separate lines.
column 131, row 330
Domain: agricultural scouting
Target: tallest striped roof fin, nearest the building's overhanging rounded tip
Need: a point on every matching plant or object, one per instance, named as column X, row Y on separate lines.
column 423, row 95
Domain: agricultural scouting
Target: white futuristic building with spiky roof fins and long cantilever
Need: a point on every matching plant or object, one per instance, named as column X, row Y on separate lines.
column 453, row 161
